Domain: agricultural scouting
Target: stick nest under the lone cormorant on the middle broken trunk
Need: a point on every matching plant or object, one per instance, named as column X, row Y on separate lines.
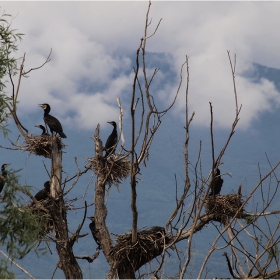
column 116, row 168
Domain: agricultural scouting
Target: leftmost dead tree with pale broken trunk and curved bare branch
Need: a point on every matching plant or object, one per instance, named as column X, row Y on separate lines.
column 55, row 209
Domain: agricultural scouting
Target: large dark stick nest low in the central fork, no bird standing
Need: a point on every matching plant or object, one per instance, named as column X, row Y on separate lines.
column 150, row 243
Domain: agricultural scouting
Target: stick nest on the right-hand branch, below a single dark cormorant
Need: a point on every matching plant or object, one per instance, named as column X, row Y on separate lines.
column 224, row 206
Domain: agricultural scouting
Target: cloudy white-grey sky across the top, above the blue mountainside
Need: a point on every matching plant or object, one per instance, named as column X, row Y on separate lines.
column 93, row 44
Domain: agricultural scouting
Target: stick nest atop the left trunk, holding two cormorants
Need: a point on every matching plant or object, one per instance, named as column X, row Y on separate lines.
column 41, row 145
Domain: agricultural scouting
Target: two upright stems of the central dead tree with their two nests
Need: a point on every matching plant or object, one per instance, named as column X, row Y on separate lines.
column 139, row 247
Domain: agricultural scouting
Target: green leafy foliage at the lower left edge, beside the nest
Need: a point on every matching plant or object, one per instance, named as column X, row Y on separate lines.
column 19, row 227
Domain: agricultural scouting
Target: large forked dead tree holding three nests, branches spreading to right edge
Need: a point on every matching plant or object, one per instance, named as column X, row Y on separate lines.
column 132, row 250
